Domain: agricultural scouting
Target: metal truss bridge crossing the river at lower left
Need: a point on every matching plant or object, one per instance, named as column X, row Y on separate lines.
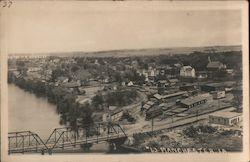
column 26, row 141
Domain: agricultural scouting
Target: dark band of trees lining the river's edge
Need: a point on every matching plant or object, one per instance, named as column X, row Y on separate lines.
column 64, row 99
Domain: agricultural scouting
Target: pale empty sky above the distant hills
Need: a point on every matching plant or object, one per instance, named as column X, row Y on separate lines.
column 42, row 28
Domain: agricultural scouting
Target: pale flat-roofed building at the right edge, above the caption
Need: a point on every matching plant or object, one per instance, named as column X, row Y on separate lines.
column 225, row 118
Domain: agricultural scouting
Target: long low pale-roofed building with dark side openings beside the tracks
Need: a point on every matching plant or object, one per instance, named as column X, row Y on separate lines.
column 193, row 101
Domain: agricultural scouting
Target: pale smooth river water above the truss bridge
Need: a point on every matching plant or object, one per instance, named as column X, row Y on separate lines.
column 28, row 112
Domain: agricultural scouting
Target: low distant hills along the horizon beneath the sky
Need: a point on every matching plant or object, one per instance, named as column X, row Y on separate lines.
column 141, row 52
